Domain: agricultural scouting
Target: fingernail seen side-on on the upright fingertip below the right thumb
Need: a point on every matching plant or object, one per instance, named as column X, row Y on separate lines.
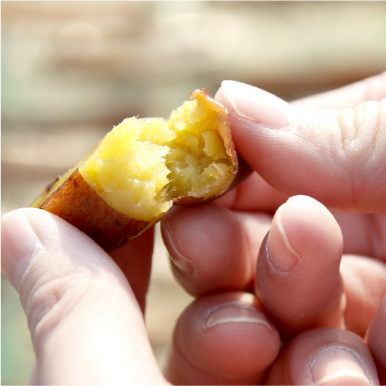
column 281, row 253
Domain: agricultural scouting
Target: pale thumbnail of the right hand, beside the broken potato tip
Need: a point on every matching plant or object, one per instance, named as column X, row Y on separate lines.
column 258, row 105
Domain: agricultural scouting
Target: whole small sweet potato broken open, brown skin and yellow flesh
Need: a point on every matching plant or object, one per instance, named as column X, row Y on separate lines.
column 143, row 166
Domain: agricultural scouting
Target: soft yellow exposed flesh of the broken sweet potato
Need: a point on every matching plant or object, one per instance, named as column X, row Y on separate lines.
column 141, row 165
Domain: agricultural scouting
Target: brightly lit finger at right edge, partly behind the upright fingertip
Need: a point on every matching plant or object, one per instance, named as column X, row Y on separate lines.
column 364, row 282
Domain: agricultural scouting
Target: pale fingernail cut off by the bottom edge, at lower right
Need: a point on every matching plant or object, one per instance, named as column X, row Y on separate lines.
column 334, row 364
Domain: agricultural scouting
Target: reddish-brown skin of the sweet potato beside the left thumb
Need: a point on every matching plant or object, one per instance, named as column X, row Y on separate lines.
column 77, row 203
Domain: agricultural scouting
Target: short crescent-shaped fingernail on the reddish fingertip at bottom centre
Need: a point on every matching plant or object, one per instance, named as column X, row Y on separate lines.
column 235, row 313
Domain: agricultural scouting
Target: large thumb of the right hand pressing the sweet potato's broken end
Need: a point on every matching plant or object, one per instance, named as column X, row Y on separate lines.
column 336, row 156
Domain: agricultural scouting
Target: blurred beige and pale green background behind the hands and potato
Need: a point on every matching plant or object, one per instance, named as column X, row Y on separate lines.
column 70, row 70
